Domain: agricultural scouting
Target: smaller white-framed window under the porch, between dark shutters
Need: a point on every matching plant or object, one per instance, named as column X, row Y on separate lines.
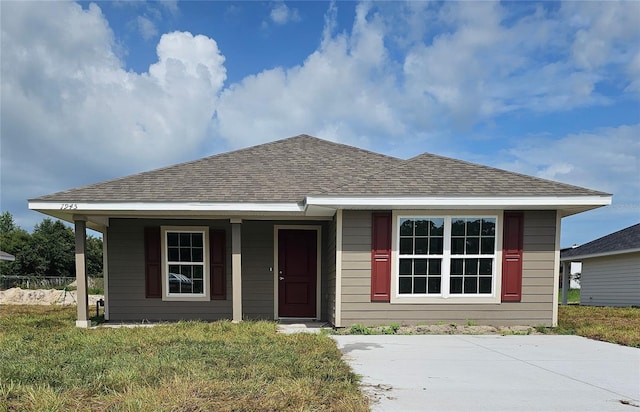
column 185, row 263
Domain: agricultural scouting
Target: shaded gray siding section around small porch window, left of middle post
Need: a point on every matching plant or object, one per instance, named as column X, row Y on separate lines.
column 126, row 263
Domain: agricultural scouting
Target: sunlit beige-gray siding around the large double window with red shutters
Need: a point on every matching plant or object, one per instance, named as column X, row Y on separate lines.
column 536, row 307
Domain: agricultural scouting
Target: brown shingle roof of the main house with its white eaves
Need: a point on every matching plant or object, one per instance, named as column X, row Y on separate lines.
column 307, row 175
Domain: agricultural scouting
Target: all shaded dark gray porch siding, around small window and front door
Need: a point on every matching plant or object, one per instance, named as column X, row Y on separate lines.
column 126, row 265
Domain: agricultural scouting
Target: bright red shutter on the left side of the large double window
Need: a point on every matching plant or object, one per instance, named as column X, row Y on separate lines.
column 381, row 257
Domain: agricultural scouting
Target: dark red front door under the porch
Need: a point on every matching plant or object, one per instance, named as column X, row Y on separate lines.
column 297, row 273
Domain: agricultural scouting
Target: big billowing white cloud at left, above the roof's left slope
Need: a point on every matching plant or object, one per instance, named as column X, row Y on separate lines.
column 71, row 112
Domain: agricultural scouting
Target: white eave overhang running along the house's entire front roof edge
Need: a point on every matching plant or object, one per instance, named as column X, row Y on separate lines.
column 97, row 213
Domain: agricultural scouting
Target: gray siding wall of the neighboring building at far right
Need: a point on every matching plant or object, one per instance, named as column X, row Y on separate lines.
column 611, row 280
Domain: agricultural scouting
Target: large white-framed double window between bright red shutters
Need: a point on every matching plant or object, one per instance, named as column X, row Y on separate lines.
column 440, row 256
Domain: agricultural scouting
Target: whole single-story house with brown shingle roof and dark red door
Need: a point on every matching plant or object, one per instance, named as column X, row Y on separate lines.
column 307, row 228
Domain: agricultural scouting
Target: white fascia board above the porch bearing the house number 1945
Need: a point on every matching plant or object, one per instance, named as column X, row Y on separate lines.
column 165, row 206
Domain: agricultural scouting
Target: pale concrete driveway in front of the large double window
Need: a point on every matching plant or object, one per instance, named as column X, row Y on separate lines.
column 494, row 373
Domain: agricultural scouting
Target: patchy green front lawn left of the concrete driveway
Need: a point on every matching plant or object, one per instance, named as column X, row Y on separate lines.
column 46, row 363
